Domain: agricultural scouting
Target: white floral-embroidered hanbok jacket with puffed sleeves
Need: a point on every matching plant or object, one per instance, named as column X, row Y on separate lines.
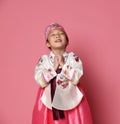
column 67, row 95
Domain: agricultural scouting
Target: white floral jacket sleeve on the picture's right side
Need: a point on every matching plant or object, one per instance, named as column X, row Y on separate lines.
column 72, row 70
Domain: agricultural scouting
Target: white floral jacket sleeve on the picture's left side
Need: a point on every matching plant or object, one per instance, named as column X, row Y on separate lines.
column 44, row 72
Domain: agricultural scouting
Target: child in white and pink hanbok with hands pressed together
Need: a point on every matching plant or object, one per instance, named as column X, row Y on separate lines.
column 59, row 100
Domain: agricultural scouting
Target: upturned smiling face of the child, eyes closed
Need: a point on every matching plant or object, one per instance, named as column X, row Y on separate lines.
column 57, row 40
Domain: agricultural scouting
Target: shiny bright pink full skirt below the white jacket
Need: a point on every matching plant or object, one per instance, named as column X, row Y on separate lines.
column 79, row 115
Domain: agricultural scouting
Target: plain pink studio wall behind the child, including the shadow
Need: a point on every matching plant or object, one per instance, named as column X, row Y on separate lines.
column 94, row 32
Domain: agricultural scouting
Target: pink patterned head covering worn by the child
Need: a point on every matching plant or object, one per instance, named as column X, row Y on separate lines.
column 53, row 26
